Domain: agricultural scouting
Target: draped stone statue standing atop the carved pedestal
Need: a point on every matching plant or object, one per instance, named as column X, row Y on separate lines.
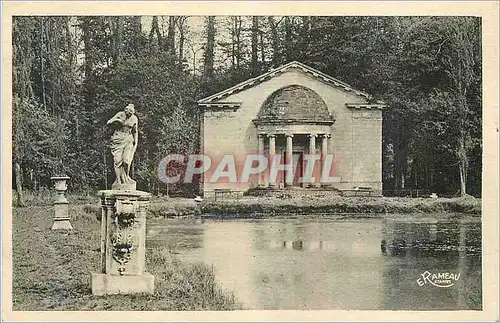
column 123, row 146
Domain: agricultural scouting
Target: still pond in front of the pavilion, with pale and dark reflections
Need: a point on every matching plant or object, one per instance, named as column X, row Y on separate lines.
column 393, row 263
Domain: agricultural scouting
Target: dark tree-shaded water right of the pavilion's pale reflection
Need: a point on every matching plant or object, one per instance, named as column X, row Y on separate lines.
column 452, row 246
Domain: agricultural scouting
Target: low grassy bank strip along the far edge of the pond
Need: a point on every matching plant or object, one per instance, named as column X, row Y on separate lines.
column 269, row 207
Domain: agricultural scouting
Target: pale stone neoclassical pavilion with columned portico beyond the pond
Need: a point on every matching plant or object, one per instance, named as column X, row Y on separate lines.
column 289, row 113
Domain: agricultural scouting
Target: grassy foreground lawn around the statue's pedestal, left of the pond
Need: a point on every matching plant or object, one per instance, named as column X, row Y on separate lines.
column 52, row 270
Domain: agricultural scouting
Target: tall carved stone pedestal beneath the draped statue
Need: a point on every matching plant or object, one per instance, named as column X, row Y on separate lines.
column 123, row 244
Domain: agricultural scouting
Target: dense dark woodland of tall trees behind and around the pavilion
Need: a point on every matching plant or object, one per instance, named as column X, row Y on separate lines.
column 70, row 74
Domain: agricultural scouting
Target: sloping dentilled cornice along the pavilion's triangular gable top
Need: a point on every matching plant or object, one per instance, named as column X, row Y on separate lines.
column 318, row 74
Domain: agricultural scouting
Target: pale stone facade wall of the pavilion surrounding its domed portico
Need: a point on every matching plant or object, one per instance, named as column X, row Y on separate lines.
column 356, row 138
